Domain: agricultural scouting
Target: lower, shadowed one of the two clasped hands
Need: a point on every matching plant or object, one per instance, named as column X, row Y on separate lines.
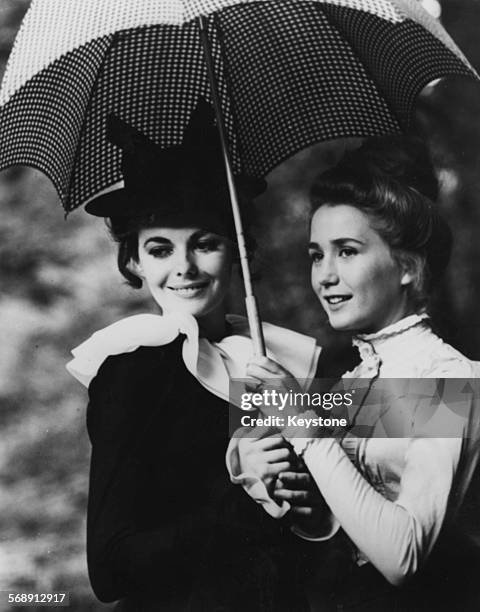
column 308, row 508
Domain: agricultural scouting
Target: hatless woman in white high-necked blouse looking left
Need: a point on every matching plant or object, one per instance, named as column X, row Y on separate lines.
column 378, row 247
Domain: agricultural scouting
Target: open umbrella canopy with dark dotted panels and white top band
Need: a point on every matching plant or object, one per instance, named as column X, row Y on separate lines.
column 288, row 73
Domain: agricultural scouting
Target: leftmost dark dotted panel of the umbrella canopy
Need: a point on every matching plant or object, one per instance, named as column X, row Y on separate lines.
column 44, row 130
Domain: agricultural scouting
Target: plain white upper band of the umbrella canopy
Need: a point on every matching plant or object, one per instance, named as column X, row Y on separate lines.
column 68, row 24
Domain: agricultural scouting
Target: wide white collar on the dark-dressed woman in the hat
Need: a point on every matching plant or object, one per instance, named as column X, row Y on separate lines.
column 212, row 363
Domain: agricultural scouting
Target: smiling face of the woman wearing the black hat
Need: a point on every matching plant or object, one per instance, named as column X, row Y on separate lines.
column 186, row 269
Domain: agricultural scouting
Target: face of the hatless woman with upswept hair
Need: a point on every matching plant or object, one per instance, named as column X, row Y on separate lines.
column 359, row 284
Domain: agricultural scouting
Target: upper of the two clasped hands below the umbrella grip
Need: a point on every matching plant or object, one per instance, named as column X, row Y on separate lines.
column 265, row 457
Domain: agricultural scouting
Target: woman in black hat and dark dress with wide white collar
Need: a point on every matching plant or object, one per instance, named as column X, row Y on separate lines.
column 166, row 529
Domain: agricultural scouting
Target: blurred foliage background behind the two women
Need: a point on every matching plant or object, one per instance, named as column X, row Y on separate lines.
column 59, row 284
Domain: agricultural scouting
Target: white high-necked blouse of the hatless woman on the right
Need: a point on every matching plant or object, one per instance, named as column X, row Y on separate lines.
column 392, row 495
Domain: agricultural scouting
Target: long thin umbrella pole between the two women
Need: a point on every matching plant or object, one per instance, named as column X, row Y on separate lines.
column 250, row 299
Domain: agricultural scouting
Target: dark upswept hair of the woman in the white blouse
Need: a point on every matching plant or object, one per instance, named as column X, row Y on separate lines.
column 392, row 180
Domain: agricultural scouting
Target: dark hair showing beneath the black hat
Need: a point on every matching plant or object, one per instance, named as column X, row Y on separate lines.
column 125, row 230
